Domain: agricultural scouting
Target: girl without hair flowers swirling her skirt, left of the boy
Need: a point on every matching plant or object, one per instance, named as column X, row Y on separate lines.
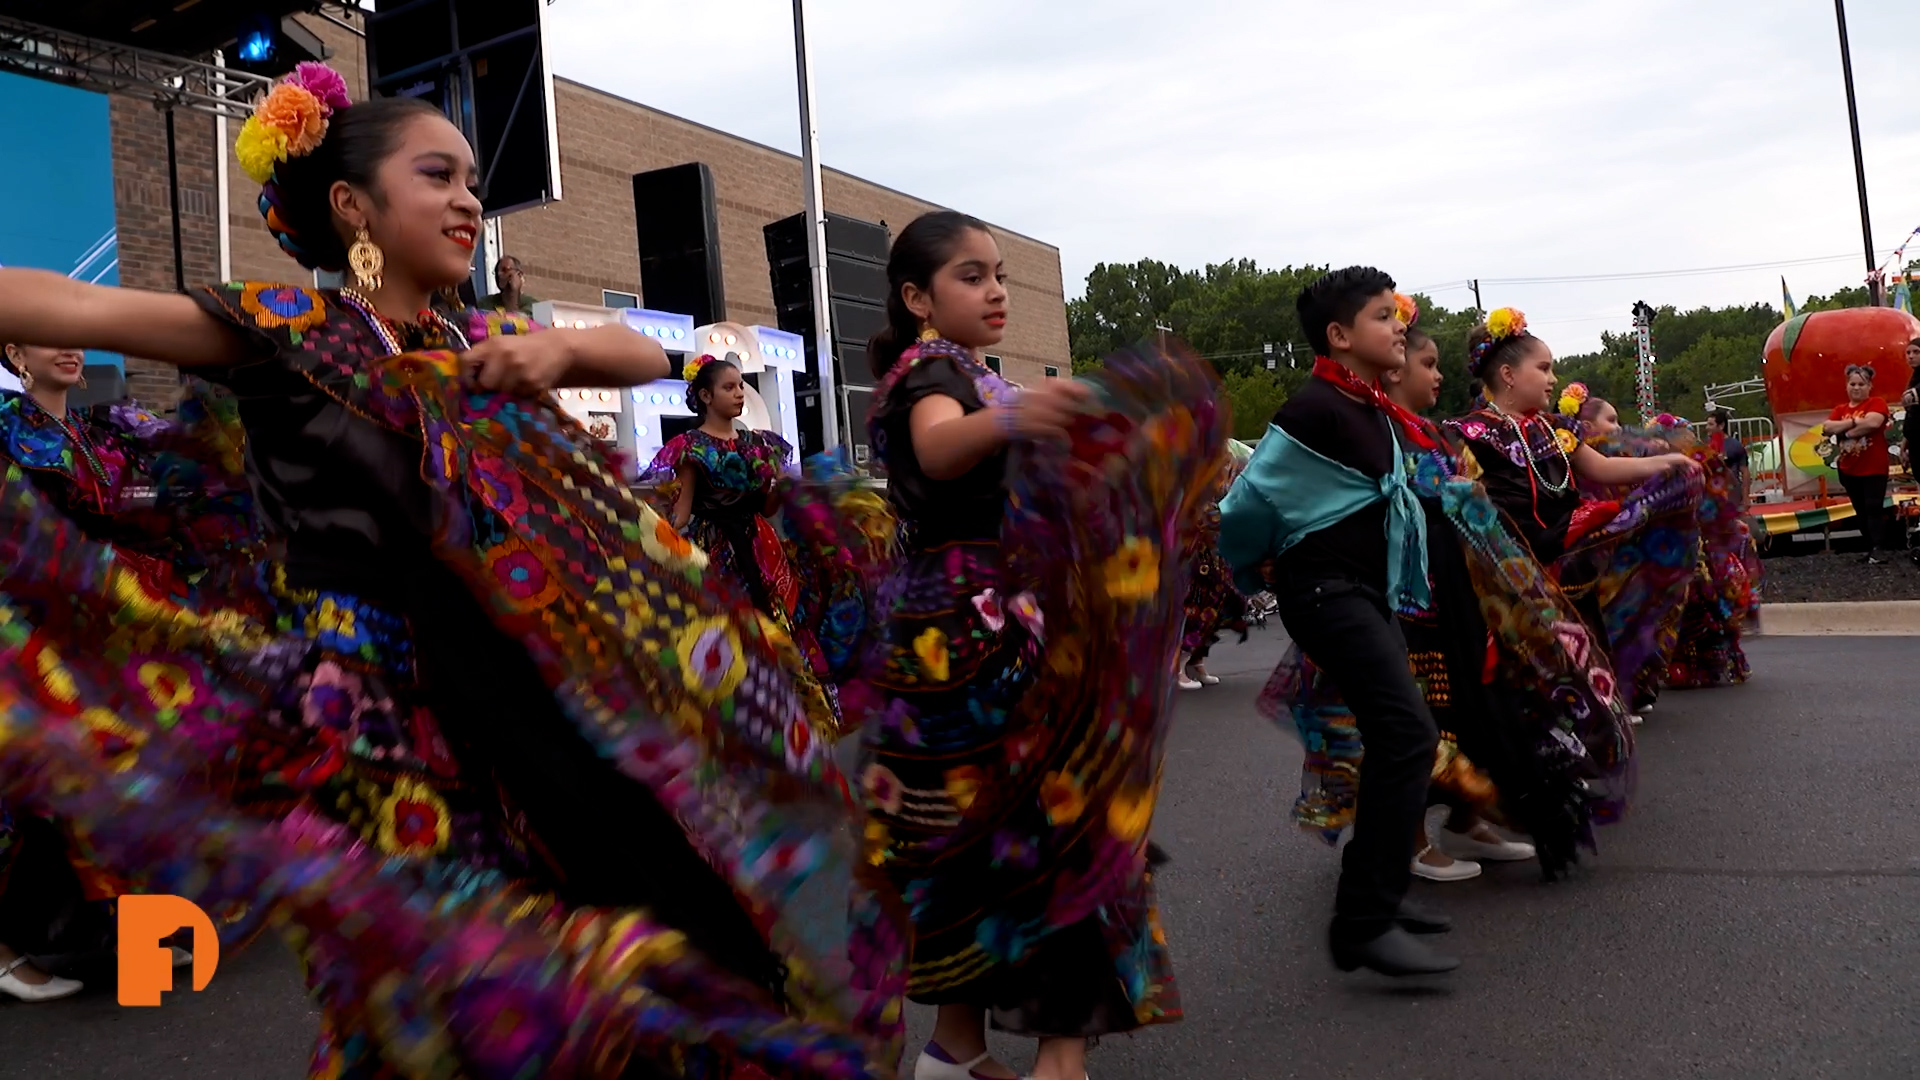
column 1026, row 662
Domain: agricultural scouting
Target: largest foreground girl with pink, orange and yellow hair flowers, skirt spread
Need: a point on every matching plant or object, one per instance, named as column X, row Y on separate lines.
column 525, row 704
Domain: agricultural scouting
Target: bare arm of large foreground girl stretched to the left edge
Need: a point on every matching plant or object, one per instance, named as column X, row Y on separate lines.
column 51, row 310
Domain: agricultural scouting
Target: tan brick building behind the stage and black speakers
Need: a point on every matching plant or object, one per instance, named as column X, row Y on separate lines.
column 575, row 249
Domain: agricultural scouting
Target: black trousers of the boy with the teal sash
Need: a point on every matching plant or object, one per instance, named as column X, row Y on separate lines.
column 1353, row 637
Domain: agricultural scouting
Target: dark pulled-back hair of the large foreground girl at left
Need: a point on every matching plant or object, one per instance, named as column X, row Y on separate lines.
column 297, row 203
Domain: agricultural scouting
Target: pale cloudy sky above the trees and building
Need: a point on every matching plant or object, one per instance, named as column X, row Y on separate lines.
column 1495, row 139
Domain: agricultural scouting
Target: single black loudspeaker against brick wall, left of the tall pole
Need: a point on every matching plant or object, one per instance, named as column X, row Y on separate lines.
column 681, row 243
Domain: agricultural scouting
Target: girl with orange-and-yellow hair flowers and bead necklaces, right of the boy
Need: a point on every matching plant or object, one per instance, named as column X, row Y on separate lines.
column 1533, row 464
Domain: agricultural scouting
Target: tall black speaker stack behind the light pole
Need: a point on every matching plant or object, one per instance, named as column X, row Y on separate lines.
column 857, row 301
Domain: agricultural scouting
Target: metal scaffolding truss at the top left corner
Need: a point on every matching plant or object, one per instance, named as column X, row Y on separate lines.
column 168, row 82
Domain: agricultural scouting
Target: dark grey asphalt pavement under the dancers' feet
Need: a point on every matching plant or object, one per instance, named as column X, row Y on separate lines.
column 1756, row 916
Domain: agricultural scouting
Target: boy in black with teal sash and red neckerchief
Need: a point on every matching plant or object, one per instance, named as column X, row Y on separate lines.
column 1324, row 508
